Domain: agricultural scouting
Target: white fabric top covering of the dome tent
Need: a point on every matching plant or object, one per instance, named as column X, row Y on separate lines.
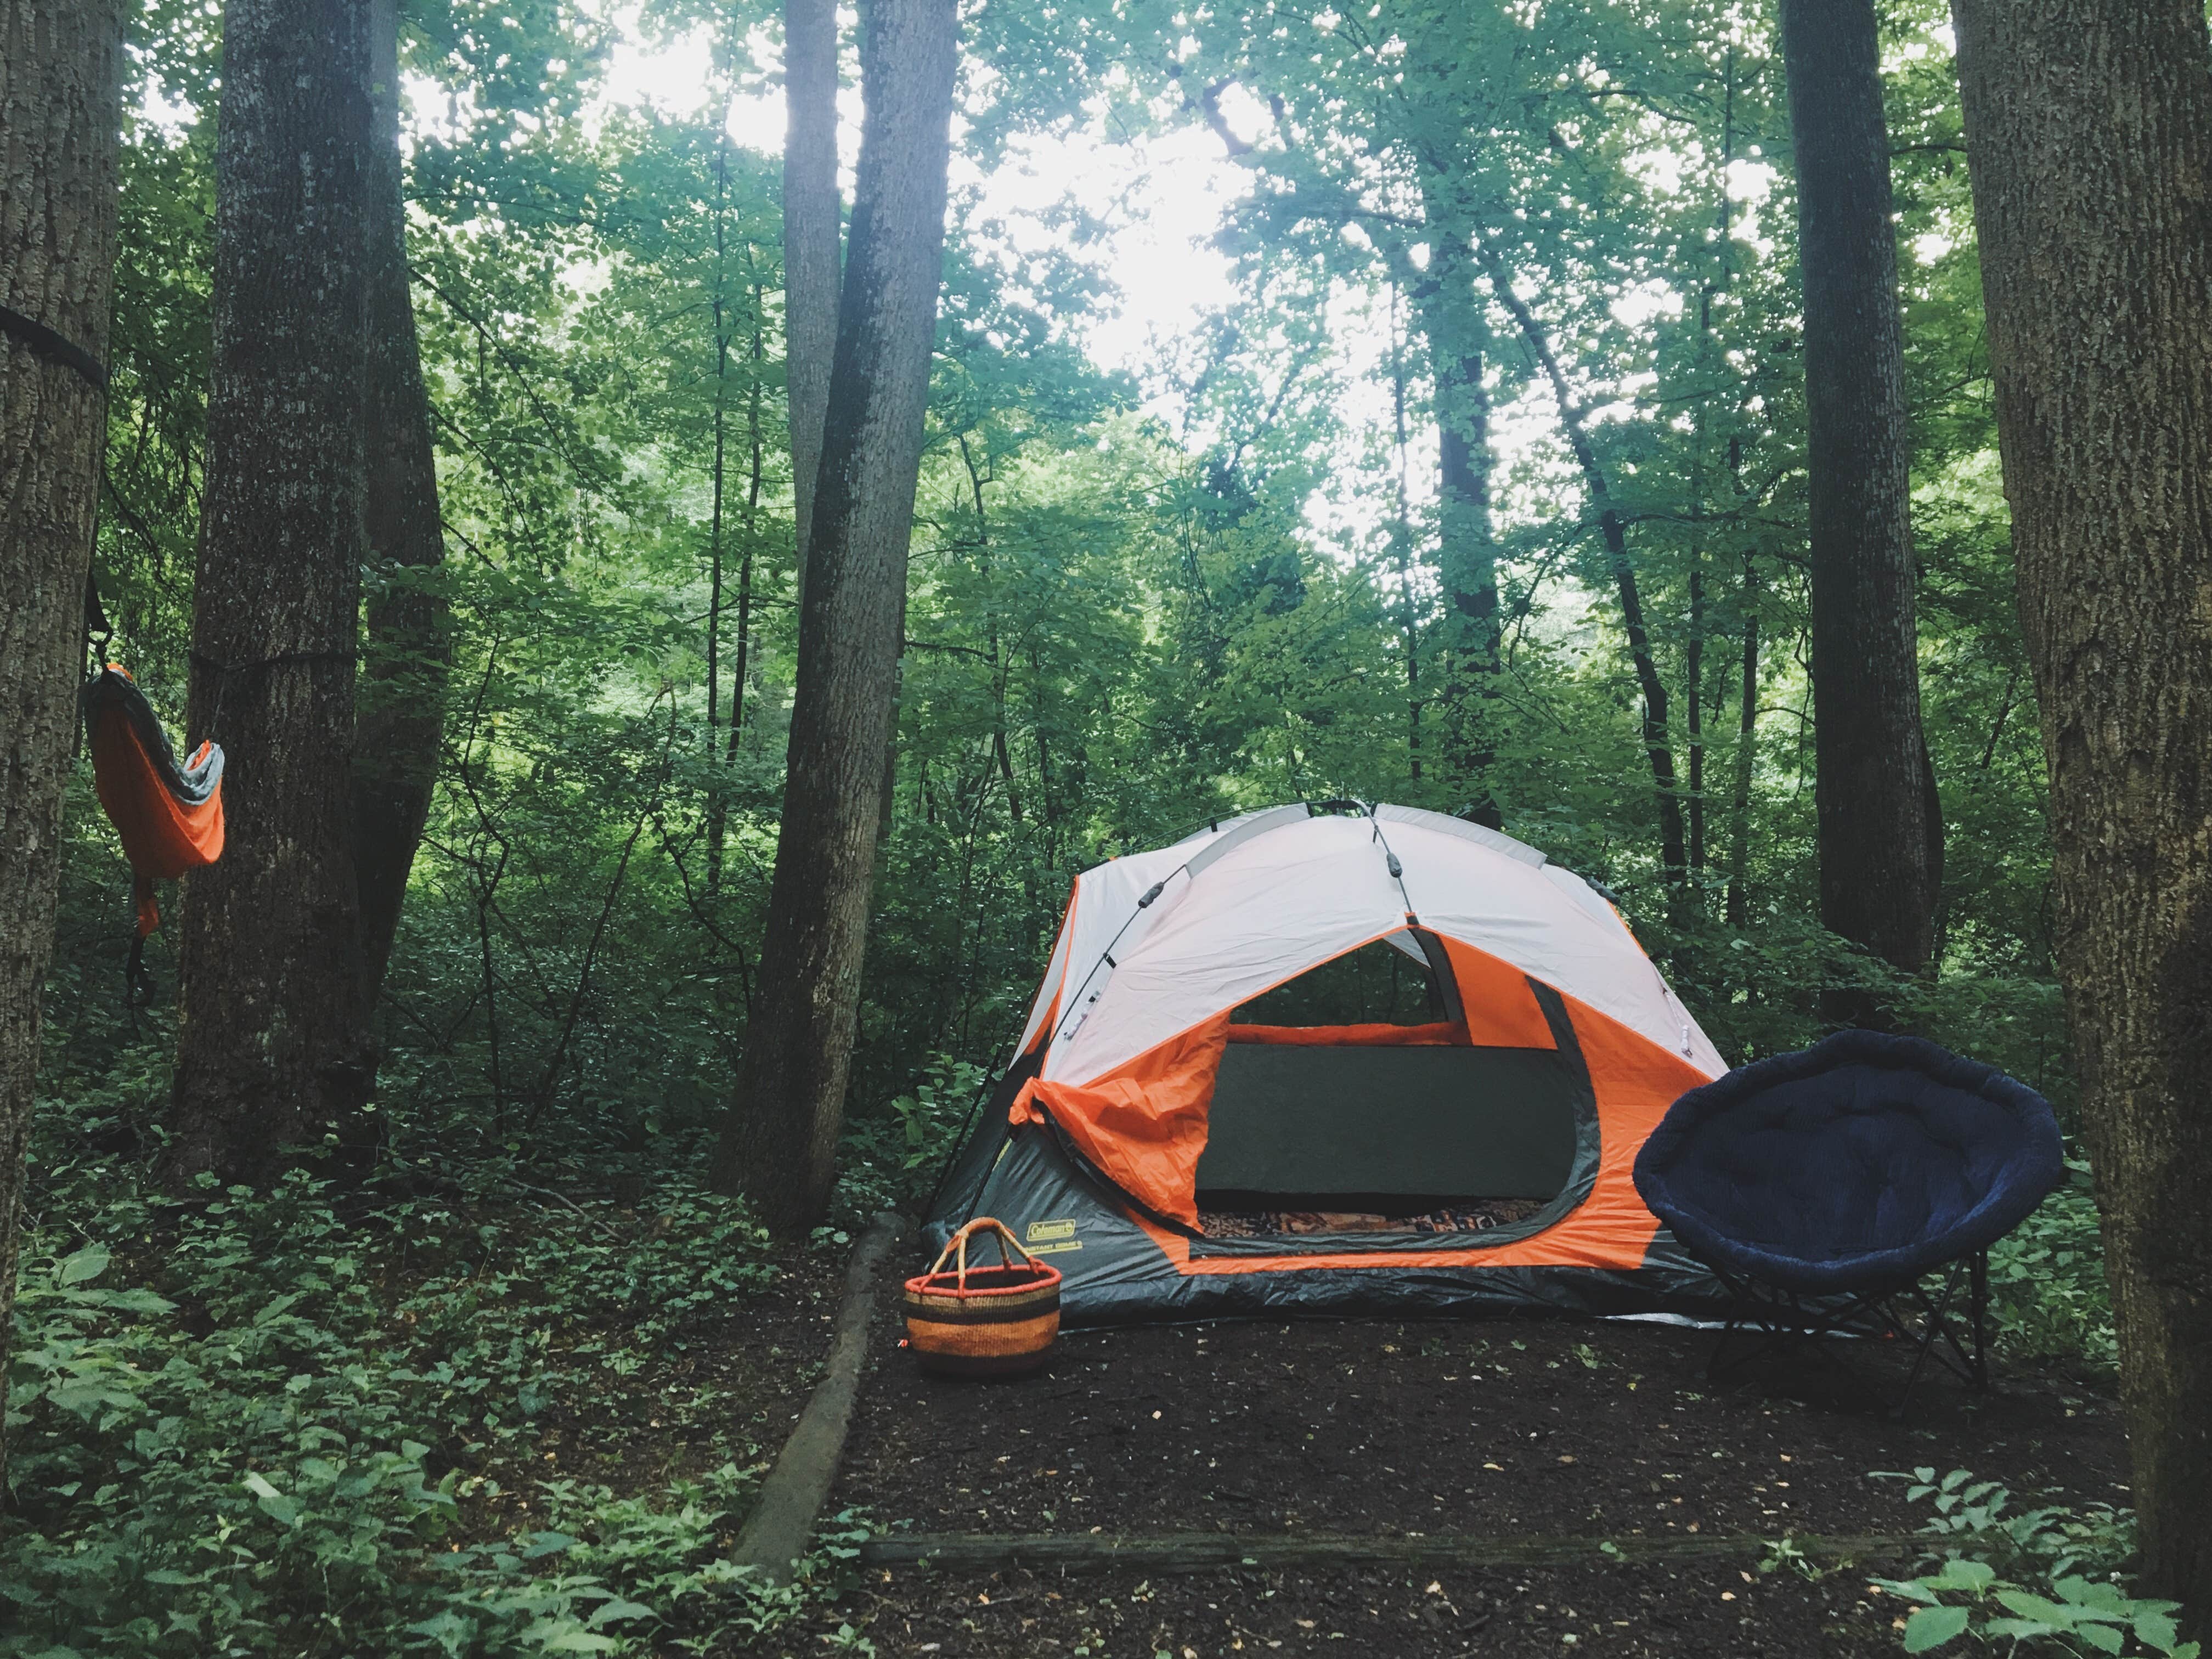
column 1304, row 890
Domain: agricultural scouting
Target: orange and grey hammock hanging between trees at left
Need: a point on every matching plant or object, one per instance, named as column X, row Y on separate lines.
column 169, row 817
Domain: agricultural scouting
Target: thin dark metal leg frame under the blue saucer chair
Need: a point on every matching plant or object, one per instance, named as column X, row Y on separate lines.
column 1912, row 1313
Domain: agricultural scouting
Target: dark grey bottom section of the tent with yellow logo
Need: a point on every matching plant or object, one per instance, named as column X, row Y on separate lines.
column 1116, row 1273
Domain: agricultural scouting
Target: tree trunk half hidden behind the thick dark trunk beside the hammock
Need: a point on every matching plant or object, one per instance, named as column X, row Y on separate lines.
column 408, row 645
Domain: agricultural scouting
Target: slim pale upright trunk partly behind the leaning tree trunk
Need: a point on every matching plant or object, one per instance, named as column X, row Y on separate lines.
column 811, row 244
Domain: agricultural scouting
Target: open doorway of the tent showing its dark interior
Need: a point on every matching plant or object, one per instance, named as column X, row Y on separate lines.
column 1386, row 1120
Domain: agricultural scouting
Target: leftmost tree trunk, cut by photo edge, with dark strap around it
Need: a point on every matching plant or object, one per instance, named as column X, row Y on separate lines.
column 61, row 114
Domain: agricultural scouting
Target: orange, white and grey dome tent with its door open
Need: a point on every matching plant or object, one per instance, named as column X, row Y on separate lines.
column 1180, row 1149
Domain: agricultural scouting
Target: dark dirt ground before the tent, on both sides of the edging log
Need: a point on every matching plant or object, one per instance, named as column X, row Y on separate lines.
column 1507, row 1430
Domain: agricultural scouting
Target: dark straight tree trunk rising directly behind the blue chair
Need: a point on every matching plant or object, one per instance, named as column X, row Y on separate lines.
column 1870, row 762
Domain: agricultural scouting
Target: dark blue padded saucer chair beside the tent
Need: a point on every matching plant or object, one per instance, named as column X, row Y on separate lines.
column 1828, row 1189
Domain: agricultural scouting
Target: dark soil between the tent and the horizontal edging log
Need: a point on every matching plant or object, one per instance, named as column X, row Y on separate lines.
column 1554, row 1428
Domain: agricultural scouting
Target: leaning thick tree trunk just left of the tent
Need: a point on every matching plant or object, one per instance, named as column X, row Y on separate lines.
column 782, row 1138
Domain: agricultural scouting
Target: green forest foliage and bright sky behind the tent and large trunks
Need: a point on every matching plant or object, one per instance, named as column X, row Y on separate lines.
column 1171, row 559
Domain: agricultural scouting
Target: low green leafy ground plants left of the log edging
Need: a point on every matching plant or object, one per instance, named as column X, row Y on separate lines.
column 302, row 1423
